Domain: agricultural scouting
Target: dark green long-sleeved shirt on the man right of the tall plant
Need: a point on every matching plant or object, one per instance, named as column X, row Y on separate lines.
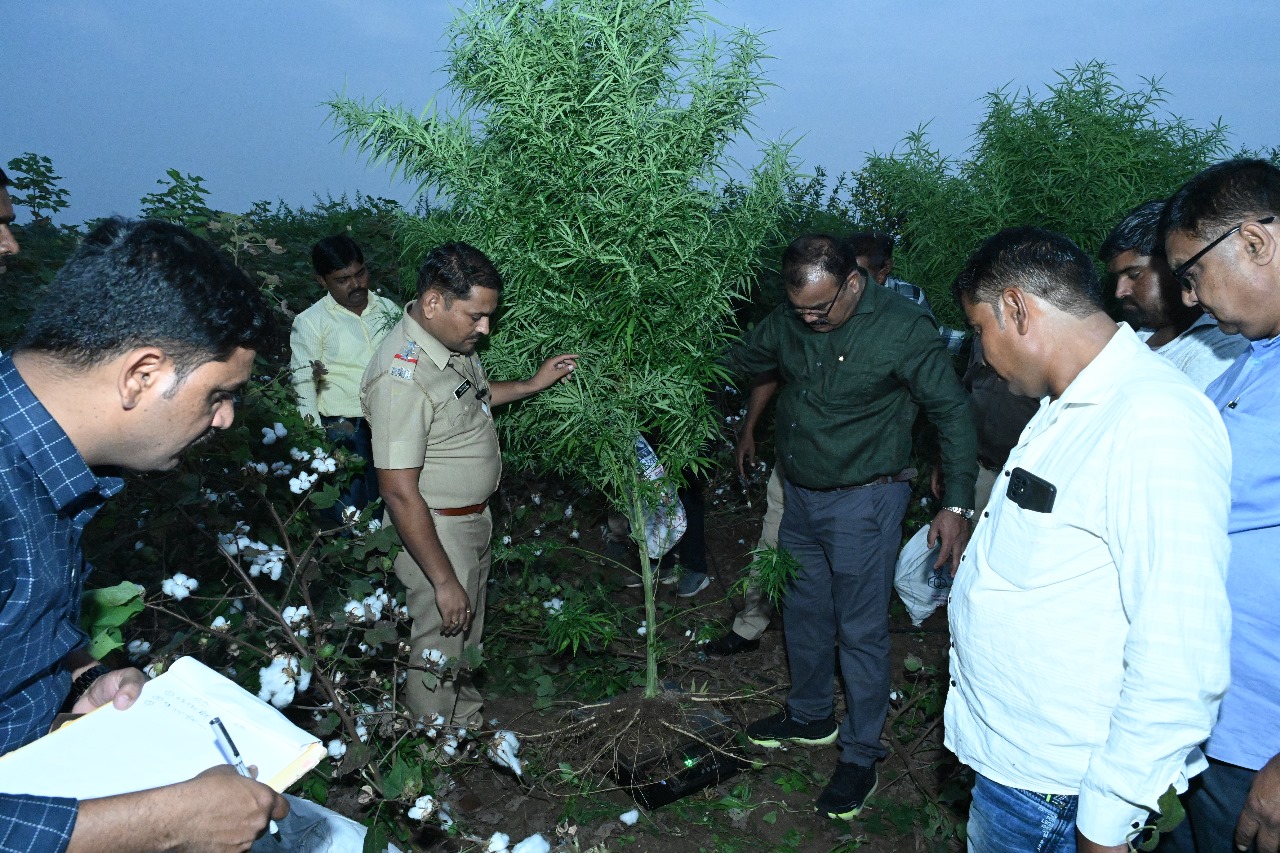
column 849, row 398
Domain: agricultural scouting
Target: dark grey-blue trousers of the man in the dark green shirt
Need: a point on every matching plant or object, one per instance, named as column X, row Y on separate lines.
column 847, row 544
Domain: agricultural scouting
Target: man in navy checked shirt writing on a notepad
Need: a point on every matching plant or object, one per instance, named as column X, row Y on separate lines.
column 134, row 355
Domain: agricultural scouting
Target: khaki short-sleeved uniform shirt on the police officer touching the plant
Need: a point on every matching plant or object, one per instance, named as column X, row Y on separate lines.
column 429, row 407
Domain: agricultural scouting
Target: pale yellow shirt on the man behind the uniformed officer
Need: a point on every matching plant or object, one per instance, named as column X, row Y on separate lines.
column 344, row 343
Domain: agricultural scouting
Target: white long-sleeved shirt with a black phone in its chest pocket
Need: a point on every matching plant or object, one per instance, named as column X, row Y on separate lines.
column 1090, row 644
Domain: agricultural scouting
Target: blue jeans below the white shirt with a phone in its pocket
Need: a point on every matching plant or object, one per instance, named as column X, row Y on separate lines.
column 1012, row 820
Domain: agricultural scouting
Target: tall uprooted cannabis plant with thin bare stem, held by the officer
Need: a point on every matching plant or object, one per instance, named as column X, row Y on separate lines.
column 586, row 154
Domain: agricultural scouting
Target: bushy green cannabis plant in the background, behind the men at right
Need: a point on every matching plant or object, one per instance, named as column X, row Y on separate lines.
column 1076, row 161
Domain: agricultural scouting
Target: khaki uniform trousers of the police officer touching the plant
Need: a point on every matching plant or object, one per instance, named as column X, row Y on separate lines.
column 467, row 542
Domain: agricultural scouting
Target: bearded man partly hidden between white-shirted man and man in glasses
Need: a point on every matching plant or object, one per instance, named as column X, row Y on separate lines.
column 1151, row 300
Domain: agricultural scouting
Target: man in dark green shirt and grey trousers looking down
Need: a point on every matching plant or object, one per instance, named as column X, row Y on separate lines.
column 857, row 364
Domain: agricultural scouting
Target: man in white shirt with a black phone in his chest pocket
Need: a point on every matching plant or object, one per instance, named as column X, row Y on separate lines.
column 1089, row 619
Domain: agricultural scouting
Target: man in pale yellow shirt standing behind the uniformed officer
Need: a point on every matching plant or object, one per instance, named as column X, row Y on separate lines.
column 332, row 344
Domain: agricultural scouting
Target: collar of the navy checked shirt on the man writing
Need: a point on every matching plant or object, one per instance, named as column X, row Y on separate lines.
column 42, row 440
